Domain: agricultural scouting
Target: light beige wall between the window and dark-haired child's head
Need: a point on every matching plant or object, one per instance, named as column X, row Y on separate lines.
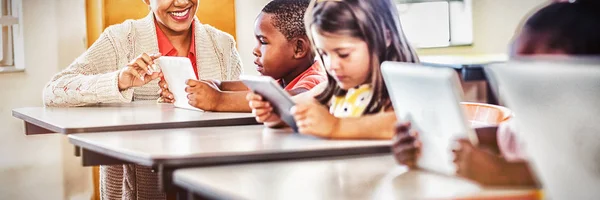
column 494, row 24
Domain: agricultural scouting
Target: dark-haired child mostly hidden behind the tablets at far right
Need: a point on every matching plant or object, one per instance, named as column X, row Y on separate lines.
column 558, row 29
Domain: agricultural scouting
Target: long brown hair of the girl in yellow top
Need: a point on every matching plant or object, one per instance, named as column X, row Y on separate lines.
column 373, row 21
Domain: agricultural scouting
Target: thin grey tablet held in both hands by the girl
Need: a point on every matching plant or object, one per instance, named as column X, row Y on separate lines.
column 273, row 93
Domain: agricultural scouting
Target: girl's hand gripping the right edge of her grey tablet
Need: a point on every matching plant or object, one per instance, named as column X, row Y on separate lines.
column 314, row 119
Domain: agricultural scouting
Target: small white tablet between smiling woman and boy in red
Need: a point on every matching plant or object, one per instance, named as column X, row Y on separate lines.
column 177, row 70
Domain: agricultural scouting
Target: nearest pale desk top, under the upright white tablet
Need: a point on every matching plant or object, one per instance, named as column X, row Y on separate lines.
column 374, row 177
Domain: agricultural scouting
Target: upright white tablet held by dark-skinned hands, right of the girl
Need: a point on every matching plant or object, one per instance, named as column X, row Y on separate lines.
column 429, row 97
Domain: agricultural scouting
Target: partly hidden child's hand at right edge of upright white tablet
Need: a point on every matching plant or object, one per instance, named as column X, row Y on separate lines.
column 477, row 164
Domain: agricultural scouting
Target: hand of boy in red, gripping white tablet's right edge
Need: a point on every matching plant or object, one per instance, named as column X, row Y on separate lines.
column 203, row 95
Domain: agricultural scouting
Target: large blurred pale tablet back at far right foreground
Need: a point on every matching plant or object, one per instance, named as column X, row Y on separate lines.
column 557, row 109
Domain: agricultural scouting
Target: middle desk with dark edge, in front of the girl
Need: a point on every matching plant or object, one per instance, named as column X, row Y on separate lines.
column 167, row 150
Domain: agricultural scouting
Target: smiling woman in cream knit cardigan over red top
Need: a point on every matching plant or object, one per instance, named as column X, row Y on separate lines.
column 118, row 67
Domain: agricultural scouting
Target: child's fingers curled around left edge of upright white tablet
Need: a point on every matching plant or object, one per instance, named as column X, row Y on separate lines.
column 407, row 146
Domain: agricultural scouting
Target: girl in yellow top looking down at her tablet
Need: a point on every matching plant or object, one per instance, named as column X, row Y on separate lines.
column 353, row 38
